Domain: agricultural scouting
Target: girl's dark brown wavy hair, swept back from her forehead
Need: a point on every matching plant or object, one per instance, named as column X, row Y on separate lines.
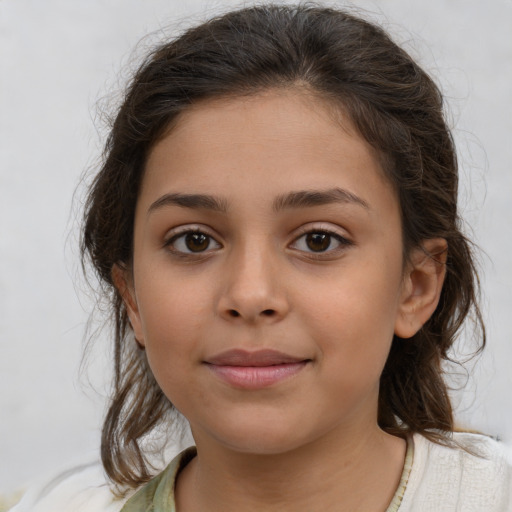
column 393, row 104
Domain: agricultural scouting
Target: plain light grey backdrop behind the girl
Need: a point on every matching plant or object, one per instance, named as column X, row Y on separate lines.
column 58, row 58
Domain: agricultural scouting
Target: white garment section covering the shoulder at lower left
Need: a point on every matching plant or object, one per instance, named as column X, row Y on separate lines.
column 81, row 489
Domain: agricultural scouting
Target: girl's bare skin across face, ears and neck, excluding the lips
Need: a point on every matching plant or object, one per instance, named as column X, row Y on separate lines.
column 310, row 441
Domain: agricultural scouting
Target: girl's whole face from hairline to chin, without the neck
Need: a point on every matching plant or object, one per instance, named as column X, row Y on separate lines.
column 267, row 272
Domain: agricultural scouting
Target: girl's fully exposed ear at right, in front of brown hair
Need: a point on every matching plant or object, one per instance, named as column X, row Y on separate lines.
column 421, row 286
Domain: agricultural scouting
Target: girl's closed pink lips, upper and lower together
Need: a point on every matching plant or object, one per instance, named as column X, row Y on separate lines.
column 255, row 370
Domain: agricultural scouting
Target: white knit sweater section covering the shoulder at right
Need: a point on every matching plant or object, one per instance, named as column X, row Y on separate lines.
column 473, row 475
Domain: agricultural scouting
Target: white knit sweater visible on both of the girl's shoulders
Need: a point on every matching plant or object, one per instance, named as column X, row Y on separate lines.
column 441, row 480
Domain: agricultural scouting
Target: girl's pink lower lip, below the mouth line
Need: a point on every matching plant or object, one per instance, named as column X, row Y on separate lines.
column 256, row 377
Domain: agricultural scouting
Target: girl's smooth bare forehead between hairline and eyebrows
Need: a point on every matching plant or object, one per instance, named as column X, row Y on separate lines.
column 270, row 142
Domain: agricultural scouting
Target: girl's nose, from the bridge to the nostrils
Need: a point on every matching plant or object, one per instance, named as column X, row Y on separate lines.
column 253, row 290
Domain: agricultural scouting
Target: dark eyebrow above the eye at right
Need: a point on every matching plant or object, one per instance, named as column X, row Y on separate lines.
column 308, row 198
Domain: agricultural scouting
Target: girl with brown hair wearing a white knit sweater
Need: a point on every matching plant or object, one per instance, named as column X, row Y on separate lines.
column 276, row 225
